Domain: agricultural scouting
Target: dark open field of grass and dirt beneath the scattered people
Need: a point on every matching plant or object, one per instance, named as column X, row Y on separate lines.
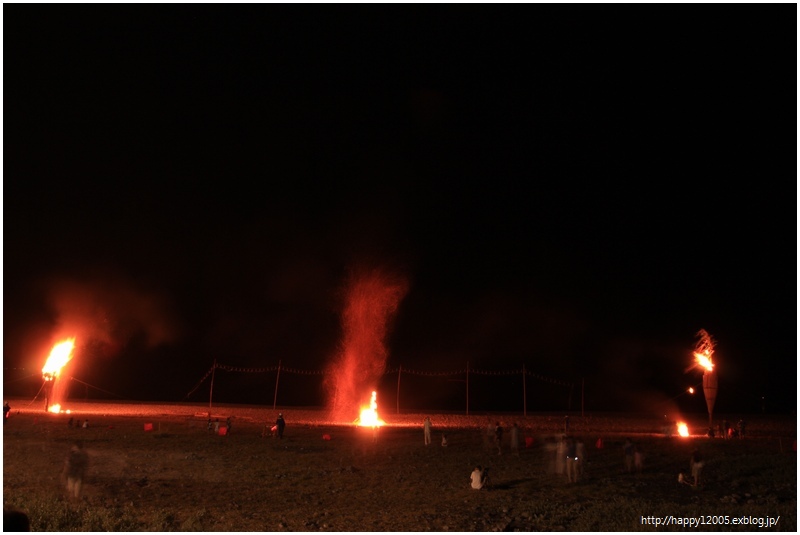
column 180, row 477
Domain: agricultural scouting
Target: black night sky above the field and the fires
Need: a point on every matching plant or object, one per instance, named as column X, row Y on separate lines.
column 579, row 189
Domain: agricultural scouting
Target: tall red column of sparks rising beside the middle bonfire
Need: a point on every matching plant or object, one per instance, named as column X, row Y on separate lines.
column 371, row 301
